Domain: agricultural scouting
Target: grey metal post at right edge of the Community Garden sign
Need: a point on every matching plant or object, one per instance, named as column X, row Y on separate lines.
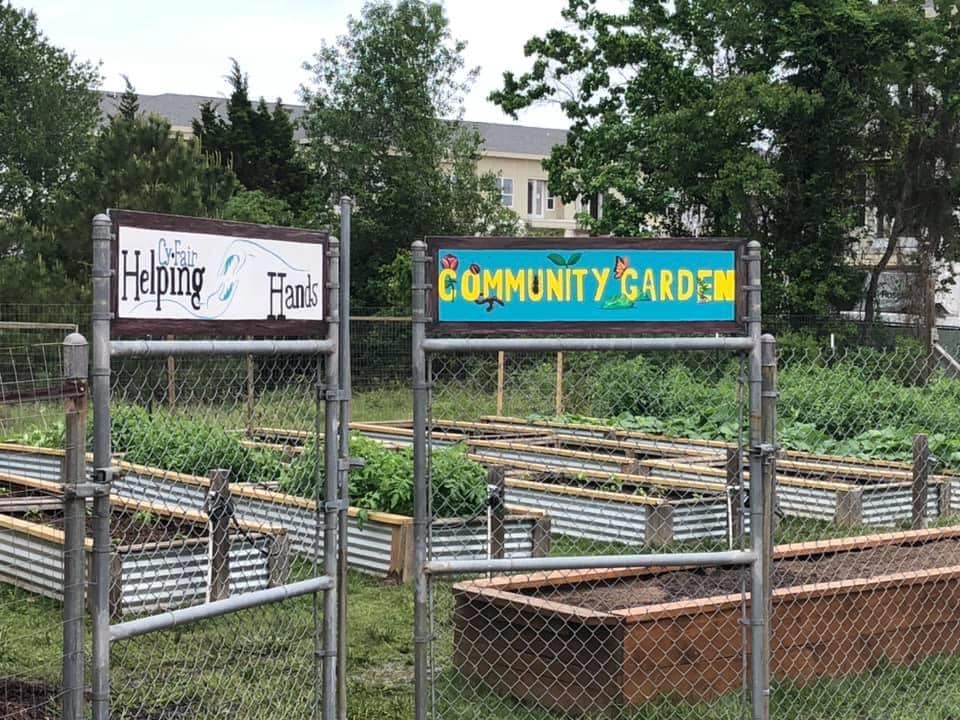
column 759, row 659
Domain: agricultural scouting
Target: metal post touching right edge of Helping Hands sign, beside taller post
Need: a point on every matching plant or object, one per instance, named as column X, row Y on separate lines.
column 328, row 498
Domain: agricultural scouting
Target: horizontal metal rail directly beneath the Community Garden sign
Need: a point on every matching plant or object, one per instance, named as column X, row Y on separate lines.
column 637, row 344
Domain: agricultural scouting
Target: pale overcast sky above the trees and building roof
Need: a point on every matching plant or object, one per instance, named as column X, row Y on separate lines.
column 184, row 46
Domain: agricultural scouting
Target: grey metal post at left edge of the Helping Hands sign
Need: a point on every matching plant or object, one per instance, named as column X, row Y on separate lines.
column 102, row 462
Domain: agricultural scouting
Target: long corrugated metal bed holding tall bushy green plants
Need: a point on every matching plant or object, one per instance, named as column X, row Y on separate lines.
column 380, row 544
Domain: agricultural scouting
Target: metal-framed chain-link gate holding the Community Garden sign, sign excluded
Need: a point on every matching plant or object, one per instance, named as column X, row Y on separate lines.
column 597, row 575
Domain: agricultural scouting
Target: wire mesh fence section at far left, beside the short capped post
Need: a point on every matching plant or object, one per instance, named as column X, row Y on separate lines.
column 34, row 395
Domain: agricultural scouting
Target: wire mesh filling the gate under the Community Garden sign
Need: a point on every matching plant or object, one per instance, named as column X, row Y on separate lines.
column 616, row 472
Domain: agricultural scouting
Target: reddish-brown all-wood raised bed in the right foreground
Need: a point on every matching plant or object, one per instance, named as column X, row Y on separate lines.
column 588, row 641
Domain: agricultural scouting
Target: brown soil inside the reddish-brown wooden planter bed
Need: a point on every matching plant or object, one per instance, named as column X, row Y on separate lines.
column 693, row 584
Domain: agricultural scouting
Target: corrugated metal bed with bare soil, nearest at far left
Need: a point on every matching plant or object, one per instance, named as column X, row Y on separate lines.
column 160, row 554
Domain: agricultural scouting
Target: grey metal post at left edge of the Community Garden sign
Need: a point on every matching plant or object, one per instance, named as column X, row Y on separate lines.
column 421, row 493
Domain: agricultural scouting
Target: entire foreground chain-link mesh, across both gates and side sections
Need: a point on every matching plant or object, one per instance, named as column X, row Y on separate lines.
column 532, row 455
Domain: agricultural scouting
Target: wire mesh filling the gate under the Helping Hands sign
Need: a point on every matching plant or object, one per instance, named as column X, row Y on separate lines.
column 211, row 502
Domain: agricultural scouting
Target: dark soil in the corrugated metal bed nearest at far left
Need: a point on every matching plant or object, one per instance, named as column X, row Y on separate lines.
column 126, row 527
